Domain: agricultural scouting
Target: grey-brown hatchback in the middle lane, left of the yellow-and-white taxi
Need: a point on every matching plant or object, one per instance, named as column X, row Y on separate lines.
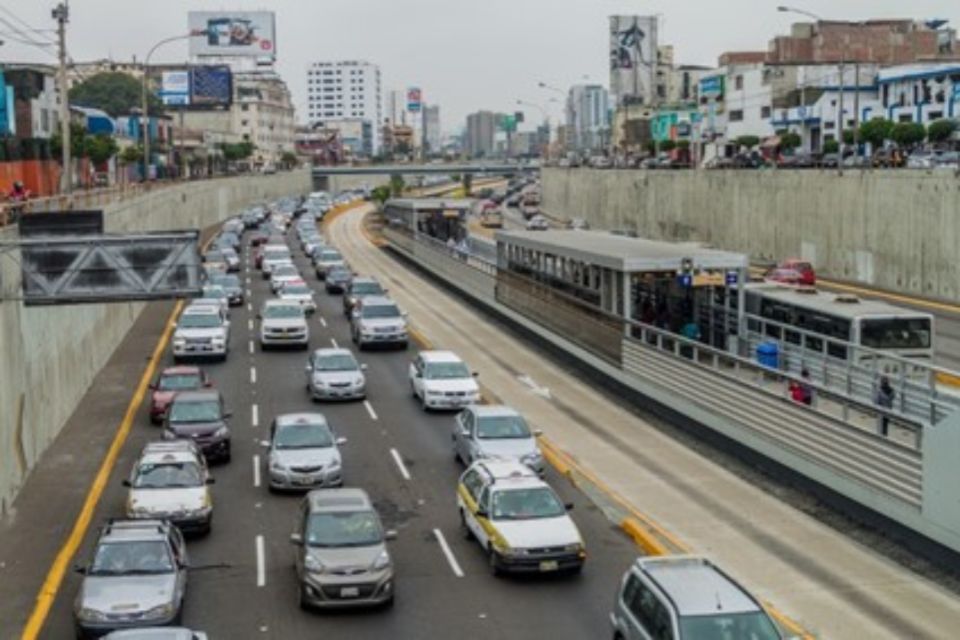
column 342, row 558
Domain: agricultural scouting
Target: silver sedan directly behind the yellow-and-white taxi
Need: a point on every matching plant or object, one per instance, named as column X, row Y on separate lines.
column 495, row 431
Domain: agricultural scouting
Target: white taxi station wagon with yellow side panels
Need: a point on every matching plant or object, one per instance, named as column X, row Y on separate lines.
column 518, row 519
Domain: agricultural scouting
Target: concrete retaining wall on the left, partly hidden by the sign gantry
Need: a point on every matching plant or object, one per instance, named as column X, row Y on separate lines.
column 50, row 355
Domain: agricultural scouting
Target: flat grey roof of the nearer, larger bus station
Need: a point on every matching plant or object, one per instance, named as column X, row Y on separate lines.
column 622, row 253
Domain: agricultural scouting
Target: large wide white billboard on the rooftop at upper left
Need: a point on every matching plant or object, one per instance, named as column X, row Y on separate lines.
column 249, row 34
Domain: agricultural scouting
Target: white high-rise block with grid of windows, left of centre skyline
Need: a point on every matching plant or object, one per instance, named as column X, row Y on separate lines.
column 345, row 89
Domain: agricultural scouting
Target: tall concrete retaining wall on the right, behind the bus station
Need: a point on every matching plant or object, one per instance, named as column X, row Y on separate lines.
column 895, row 230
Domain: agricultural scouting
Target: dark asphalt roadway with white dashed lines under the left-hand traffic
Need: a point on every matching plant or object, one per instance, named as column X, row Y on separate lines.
column 237, row 592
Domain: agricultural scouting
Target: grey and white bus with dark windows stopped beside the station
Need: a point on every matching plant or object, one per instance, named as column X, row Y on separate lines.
column 821, row 321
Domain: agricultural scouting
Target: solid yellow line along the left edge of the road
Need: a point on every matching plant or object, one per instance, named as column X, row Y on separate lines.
column 57, row 571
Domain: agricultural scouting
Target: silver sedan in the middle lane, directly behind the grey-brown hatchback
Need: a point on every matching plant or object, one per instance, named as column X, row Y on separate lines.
column 304, row 453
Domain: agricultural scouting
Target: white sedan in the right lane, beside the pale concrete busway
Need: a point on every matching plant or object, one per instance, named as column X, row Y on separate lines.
column 441, row 380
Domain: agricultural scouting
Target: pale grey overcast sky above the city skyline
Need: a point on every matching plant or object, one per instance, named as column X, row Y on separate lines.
column 482, row 54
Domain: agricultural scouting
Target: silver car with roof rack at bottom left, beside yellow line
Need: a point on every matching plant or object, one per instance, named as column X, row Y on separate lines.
column 136, row 578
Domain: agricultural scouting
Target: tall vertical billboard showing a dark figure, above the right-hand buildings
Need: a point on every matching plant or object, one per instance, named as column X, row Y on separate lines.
column 633, row 59
